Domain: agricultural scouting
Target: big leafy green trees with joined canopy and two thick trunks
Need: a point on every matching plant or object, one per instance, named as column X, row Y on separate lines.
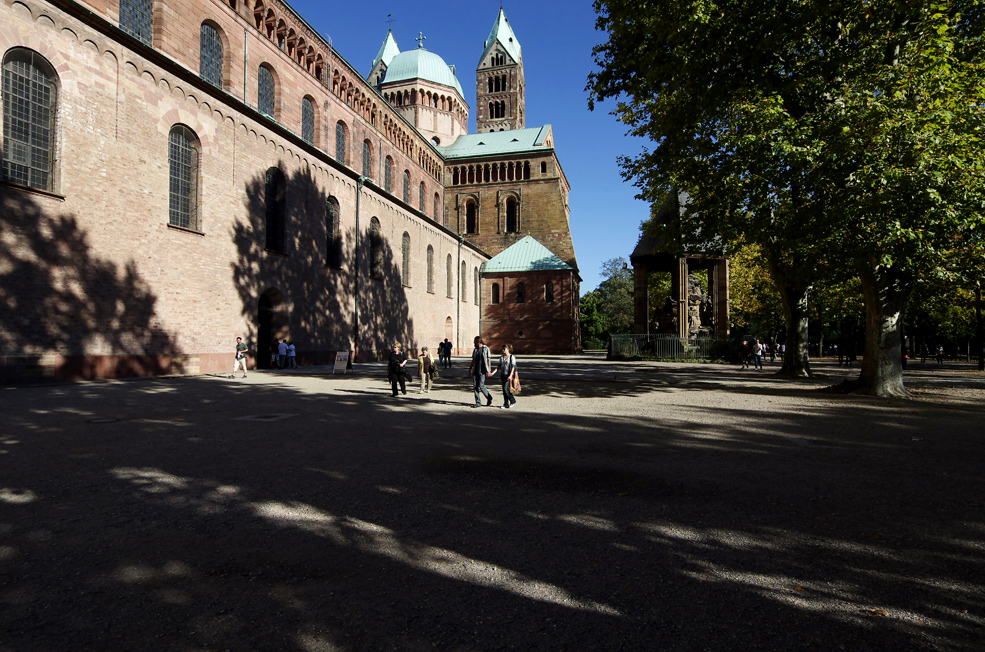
column 838, row 136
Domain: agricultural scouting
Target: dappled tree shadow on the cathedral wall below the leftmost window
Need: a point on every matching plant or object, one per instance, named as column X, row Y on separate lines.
column 67, row 313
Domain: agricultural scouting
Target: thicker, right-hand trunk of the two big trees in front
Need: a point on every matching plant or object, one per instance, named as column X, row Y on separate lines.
column 885, row 293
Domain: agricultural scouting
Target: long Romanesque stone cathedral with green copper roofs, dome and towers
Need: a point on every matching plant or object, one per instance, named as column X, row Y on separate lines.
column 178, row 173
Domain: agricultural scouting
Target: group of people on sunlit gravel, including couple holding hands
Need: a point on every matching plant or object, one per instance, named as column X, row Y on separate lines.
column 479, row 369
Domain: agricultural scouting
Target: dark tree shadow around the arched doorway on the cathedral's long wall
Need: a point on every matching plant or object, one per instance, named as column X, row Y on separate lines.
column 315, row 275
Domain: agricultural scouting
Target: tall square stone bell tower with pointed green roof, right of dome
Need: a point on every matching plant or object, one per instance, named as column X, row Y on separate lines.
column 499, row 85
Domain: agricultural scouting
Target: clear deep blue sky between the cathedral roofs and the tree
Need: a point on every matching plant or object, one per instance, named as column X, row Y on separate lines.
column 557, row 39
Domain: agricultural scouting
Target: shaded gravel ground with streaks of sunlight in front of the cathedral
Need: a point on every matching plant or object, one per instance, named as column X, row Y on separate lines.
column 632, row 506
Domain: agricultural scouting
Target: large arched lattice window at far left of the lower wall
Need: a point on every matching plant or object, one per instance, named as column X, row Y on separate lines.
column 30, row 102
